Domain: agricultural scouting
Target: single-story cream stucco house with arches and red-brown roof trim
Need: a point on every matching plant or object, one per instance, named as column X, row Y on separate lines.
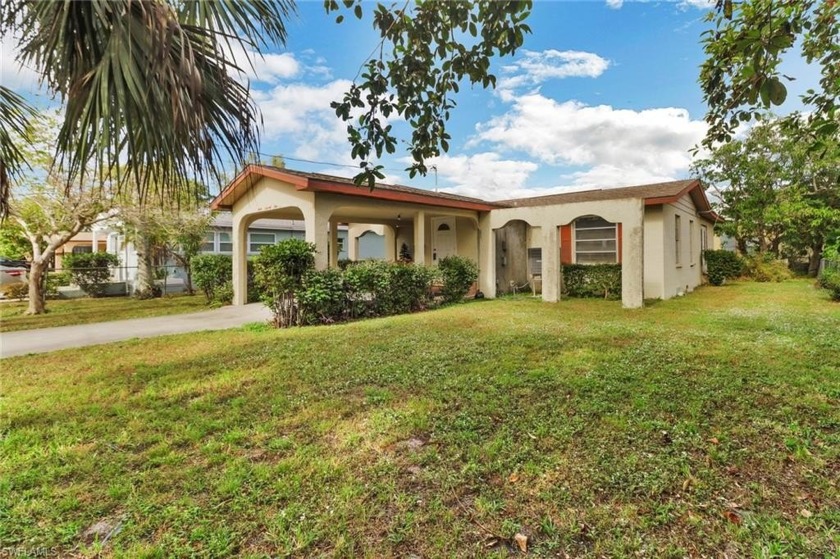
column 656, row 232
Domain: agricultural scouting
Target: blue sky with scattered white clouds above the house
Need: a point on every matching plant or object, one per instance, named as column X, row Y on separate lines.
column 603, row 94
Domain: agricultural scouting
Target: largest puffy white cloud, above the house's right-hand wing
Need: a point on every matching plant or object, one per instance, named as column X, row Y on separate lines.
column 618, row 146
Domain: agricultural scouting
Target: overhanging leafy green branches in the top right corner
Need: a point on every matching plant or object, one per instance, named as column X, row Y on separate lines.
column 740, row 77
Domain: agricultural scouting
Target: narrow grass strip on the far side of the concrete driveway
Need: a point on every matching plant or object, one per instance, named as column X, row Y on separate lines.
column 66, row 312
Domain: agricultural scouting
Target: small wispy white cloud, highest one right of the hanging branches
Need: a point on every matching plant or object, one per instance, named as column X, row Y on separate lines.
column 537, row 67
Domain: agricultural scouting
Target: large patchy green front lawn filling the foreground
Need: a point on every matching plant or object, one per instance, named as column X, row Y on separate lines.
column 701, row 426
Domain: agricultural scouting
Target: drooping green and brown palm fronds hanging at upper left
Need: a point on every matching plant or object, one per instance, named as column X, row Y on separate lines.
column 148, row 87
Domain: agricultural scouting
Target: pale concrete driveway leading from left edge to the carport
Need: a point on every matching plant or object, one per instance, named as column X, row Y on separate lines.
column 50, row 339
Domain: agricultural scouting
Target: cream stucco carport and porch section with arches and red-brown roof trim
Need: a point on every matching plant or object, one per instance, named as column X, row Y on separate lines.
column 422, row 226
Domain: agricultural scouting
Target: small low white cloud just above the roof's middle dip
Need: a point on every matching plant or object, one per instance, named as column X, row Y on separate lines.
column 483, row 175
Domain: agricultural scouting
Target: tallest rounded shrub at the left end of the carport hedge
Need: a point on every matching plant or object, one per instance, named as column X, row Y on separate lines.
column 278, row 273
